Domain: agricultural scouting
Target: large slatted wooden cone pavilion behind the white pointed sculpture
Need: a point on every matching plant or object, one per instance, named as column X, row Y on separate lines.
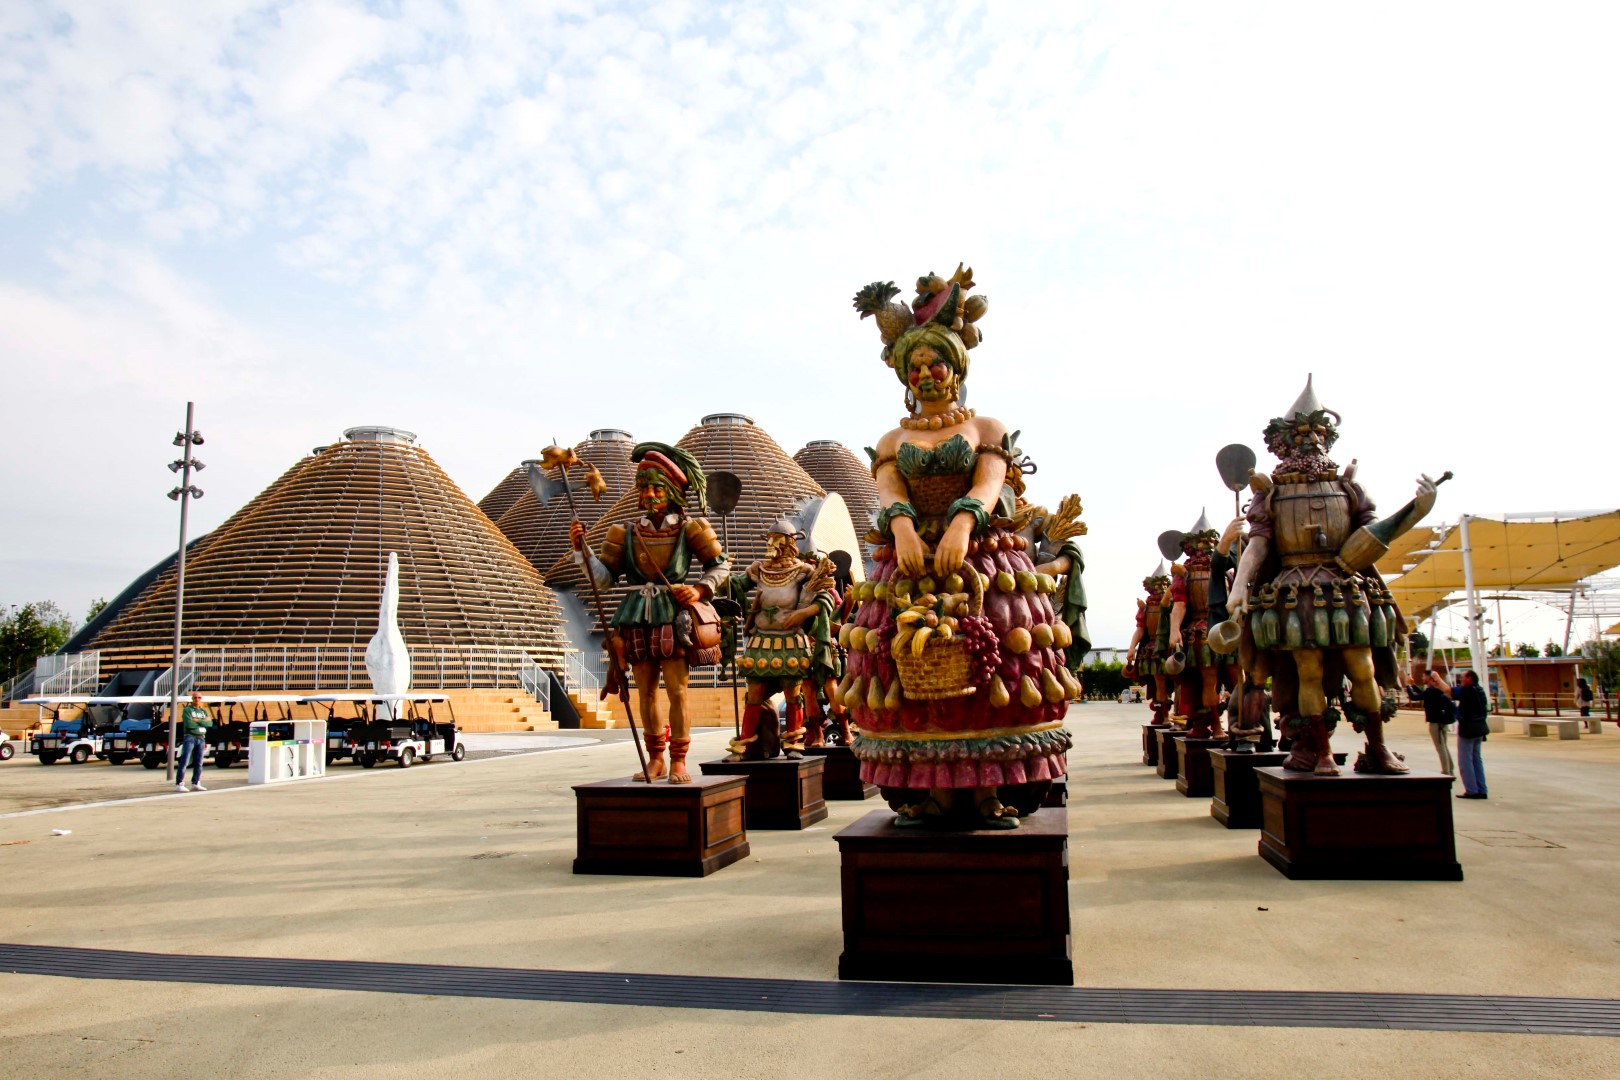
column 296, row 579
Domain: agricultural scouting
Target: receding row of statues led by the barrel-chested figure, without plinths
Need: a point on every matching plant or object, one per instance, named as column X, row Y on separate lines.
column 1302, row 624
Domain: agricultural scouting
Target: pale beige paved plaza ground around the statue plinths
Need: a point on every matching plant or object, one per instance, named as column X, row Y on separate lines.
column 471, row 865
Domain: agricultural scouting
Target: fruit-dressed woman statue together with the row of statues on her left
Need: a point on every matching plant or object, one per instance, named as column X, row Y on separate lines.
column 949, row 670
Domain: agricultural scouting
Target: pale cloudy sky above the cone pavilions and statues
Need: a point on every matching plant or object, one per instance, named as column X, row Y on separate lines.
column 495, row 223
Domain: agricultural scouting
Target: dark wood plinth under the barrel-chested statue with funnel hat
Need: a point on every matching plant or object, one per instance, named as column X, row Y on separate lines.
column 1354, row 827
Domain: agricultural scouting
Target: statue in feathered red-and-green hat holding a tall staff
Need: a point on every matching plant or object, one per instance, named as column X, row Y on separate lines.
column 663, row 627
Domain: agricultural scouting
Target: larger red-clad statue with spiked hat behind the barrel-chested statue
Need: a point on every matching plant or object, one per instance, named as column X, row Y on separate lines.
column 1204, row 673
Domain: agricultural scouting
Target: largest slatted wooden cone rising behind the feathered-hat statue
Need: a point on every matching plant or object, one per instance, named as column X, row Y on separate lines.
column 772, row 487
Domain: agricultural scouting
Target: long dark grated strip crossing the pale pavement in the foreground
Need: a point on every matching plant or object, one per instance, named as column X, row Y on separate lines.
column 1064, row 1005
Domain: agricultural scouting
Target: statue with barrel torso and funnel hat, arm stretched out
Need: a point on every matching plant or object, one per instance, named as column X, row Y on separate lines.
column 1315, row 614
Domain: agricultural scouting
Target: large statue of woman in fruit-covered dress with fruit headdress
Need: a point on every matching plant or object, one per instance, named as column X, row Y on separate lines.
column 957, row 671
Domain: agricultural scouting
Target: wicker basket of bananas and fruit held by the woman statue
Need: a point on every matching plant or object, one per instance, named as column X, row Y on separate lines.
column 932, row 644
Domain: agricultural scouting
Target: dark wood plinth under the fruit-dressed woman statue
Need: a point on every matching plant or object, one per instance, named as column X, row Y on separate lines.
column 957, row 908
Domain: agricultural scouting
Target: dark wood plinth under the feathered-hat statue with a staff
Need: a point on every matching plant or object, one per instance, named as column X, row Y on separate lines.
column 673, row 830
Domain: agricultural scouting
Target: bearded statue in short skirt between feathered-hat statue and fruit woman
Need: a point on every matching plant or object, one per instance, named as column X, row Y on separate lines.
column 790, row 597
